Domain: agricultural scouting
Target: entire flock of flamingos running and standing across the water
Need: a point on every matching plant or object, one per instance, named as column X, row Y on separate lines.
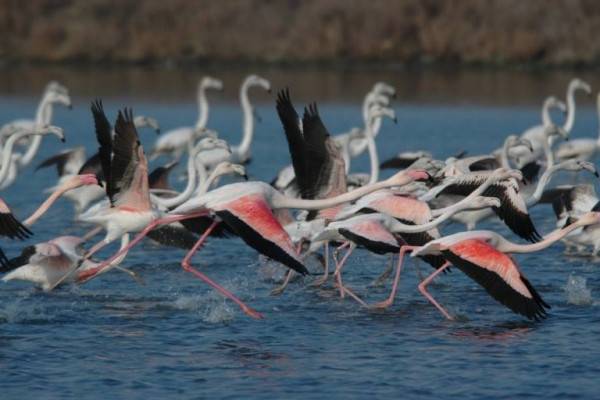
column 314, row 207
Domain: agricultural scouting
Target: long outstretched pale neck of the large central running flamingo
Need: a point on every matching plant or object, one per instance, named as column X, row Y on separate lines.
column 281, row 201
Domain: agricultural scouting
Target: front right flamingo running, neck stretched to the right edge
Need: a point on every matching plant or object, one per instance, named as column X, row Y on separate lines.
column 484, row 257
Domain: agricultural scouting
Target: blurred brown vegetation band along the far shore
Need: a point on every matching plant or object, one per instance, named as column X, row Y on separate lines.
column 480, row 32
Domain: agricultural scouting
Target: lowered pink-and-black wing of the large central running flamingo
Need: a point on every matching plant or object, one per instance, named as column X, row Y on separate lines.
column 250, row 217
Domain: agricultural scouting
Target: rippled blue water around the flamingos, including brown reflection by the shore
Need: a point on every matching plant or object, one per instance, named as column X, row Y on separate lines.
column 174, row 337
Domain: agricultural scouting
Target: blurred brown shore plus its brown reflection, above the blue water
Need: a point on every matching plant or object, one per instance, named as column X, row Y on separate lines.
column 499, row 51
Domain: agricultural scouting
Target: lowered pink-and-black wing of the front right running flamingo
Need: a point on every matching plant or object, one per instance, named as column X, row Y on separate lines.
column 498, row 274
